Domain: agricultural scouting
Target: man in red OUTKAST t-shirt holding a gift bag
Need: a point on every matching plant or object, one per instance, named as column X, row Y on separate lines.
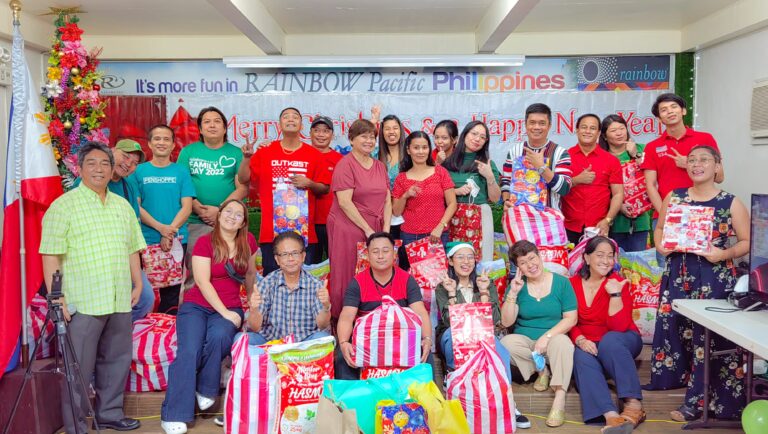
column 297, row 176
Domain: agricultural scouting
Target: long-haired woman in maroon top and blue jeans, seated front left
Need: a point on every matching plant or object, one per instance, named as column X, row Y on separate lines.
column 210, row 315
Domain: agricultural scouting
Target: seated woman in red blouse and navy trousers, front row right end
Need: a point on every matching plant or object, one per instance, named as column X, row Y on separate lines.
column 607, row 341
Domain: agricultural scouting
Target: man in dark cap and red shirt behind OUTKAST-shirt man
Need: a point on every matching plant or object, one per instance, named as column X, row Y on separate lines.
column 321, row 135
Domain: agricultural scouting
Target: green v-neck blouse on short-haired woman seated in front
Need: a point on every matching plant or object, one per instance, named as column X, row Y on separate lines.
column 534, row 318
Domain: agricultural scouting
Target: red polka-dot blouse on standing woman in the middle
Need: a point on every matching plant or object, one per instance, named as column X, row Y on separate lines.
column 423, row 212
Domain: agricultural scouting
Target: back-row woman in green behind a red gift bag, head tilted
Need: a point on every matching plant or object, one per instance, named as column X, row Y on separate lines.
column 631, row 234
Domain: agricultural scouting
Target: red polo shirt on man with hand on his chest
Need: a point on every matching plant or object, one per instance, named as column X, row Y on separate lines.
column 586, row 204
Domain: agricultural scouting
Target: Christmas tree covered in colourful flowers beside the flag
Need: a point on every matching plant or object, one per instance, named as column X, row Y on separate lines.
column 71, row 97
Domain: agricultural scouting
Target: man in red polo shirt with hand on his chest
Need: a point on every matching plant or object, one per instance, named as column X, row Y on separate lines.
column 597, row 190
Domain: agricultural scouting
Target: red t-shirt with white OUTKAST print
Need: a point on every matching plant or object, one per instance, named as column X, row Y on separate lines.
column 271, row 166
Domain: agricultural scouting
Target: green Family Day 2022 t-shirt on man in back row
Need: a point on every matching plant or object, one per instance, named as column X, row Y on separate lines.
column 213, row 172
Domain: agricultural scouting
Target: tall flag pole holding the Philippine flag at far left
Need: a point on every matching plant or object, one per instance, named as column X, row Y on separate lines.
column 18, row 131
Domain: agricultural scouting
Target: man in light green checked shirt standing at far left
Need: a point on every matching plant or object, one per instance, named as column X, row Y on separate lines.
column 92, row 236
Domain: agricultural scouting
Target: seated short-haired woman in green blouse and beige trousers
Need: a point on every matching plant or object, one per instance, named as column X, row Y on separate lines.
column 542, row 308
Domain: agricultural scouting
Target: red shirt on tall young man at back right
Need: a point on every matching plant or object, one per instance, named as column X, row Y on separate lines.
column 658, row 155
